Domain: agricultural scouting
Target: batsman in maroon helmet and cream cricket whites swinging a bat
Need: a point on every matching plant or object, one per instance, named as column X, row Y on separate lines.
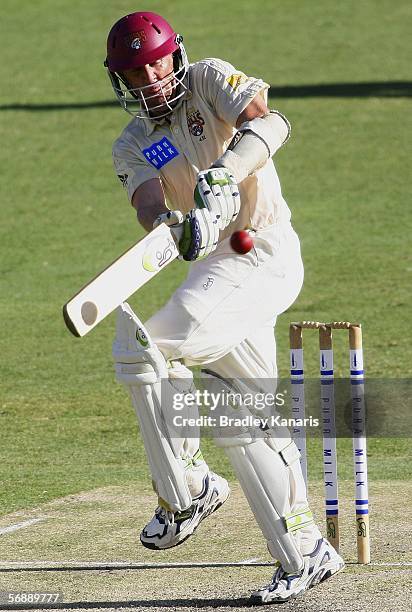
column 197, row 156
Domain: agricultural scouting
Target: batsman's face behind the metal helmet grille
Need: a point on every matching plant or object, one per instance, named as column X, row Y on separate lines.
column 154, row 82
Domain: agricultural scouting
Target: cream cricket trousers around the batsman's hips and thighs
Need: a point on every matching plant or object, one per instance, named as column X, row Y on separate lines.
column 225, row 310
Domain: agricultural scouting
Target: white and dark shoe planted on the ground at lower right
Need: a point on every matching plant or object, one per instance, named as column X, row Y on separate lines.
column 319, row 565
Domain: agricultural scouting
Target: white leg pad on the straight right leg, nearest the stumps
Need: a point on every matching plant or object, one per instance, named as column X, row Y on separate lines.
column 263, row 464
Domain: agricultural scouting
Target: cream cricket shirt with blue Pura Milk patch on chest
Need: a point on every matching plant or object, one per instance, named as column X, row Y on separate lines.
column 199, row 132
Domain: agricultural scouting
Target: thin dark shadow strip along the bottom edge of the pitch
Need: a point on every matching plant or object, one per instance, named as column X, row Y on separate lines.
column 239, row 602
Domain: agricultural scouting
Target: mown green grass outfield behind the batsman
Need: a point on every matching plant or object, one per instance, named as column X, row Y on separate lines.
column 65, row 425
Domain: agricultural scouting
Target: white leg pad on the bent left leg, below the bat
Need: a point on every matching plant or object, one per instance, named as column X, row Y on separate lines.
column 141, row 367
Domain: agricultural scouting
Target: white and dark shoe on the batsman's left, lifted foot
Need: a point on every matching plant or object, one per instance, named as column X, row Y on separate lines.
column 168, row 529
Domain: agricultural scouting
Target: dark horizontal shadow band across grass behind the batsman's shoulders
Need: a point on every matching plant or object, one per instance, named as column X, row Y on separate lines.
column 383, row 89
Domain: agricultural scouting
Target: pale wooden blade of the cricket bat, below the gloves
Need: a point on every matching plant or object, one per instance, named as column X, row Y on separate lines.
column 120, row 280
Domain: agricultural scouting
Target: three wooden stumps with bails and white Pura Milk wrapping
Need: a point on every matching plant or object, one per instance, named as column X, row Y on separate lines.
column 327, row 404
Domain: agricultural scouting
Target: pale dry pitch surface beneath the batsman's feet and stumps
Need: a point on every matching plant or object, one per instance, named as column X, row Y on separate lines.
column 87, row 547
